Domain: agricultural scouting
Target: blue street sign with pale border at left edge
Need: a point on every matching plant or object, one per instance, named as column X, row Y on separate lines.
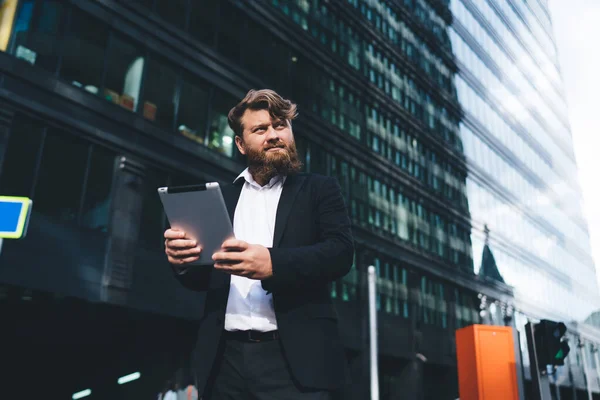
column 14, row 216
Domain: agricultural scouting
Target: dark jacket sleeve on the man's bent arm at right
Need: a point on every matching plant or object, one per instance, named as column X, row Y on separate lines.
column 329, row 258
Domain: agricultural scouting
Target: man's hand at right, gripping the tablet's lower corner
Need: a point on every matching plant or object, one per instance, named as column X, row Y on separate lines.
column 241, row 258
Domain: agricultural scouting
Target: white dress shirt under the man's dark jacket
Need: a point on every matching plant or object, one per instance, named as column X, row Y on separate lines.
column 249, row 307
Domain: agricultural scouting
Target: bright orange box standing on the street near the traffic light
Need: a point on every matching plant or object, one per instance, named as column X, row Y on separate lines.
column 486, row 363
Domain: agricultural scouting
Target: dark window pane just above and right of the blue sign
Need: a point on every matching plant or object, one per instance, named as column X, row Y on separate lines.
column 60, row 180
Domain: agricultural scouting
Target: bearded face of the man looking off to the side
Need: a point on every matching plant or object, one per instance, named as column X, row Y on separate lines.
column 267, row 143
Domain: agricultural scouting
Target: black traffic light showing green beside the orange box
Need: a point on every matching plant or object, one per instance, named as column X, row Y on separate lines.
column 550, row 344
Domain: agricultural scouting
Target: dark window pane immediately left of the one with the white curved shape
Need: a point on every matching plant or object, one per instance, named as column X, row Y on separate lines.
column 84, row 51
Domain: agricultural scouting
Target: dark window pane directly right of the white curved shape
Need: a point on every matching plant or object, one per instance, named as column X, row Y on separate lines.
column 159, row 93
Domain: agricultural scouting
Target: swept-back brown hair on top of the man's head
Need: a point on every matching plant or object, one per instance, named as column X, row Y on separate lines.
column 264, row 99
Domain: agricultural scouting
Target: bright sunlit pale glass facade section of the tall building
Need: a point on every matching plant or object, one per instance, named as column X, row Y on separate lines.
column 516, row 137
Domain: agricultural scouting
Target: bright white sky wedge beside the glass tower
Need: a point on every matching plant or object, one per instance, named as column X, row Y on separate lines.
column 577, row 29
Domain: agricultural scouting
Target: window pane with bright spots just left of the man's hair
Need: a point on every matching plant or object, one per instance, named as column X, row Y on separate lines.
column 220, row 134
